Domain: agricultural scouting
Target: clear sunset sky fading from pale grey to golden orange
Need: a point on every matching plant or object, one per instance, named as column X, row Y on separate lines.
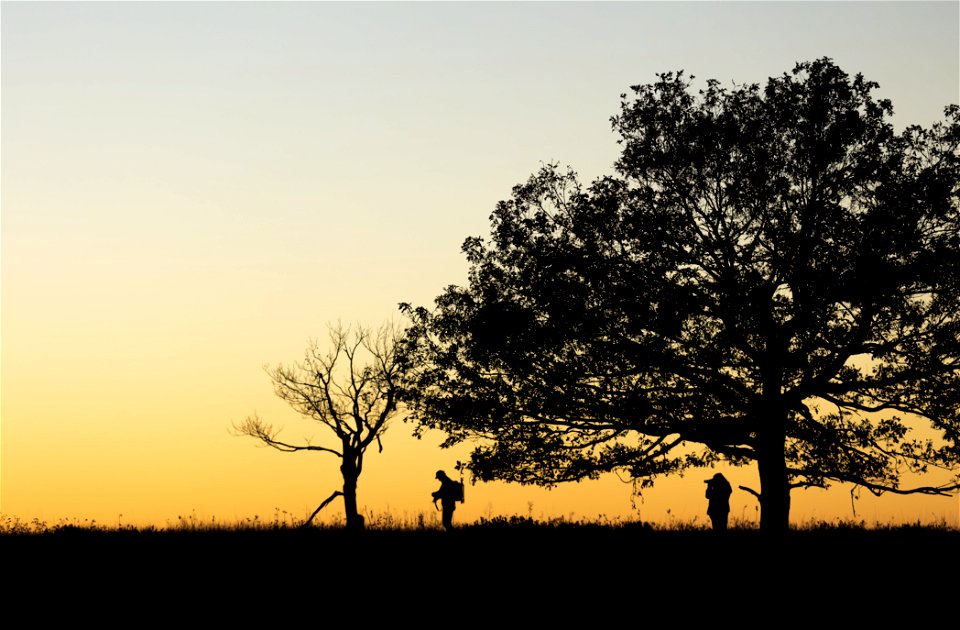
column 191, row 191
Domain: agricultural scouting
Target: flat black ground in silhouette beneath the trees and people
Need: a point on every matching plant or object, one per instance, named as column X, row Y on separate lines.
column 513, row 575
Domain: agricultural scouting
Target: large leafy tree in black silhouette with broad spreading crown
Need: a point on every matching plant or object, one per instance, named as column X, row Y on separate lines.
column 772, row 275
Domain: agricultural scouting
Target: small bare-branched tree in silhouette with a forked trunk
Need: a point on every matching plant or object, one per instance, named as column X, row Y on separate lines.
column 350, row 387
